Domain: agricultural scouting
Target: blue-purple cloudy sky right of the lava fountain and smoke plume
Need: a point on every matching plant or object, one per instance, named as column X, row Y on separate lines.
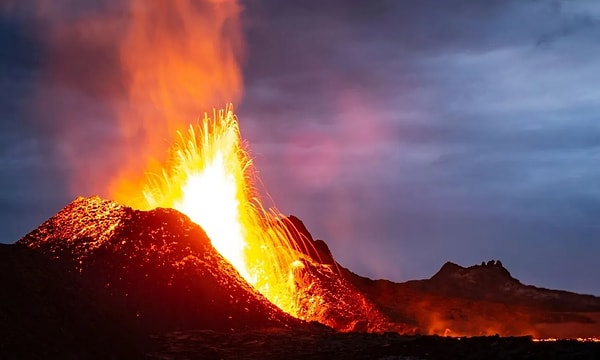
column 483, row 144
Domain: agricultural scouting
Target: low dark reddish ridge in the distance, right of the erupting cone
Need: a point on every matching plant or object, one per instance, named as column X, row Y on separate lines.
column 482, row 300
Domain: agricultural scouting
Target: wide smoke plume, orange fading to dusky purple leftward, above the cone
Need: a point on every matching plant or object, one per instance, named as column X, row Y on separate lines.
column 117, row 79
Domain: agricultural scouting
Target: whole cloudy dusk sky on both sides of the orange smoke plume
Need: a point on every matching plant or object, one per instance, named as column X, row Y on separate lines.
column 403, row 133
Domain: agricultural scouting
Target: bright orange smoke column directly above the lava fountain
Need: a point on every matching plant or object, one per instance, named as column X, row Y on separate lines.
column 178, row 59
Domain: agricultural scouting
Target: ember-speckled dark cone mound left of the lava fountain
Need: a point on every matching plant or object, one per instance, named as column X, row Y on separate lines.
column 155, row 267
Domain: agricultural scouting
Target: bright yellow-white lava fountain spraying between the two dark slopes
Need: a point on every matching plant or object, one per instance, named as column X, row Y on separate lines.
column 209, row 177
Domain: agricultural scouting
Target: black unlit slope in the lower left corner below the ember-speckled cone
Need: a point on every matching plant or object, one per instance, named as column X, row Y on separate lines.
column 46, row 312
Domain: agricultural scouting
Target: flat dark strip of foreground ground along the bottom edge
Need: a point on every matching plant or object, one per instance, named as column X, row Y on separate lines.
column 325, row 344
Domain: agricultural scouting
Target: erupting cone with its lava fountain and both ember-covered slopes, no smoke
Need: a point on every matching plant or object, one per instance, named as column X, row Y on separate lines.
column 210, row 178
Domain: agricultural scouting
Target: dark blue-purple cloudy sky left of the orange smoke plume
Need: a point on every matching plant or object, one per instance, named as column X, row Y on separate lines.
column 33, row 120
